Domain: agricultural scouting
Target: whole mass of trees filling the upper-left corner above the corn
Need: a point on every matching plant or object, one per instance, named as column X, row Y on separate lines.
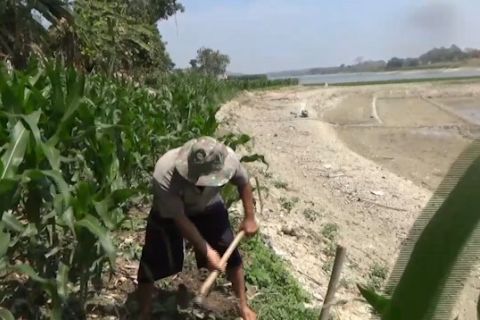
column 106, row 35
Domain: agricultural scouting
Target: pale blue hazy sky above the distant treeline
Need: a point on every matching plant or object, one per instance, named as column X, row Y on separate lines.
column 263, row 36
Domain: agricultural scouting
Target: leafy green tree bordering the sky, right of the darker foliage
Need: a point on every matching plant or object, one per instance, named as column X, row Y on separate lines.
column 111, row 40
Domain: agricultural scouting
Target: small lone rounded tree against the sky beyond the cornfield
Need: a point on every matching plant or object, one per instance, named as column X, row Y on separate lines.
column 210, row 62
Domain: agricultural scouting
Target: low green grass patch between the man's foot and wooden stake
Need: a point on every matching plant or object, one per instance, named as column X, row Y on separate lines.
column 279, row 294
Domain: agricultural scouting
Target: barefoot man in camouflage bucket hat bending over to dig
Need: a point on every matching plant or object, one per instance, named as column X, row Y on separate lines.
column 187, row 205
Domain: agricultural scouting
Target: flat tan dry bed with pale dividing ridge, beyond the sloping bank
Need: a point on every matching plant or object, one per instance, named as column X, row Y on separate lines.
column 416, row 138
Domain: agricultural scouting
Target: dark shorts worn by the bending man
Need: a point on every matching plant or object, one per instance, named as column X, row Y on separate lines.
column 163, row 251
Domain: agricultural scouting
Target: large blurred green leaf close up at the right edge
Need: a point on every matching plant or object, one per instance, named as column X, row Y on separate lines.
column 447, row 238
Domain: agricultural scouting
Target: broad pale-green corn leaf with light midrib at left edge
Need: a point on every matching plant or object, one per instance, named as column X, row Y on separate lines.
column 15, row 152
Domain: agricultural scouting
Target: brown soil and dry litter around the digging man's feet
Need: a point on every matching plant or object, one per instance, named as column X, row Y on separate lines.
column 173, row 298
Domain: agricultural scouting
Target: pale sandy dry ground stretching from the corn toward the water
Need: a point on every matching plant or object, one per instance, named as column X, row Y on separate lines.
column 343, row 175
